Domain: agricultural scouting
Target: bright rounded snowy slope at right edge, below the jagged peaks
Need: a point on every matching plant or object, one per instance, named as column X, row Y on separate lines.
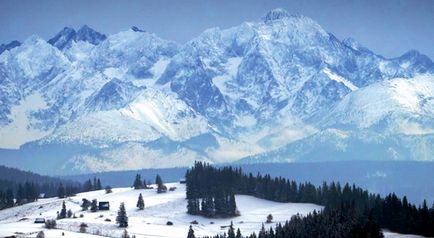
column 404, row 101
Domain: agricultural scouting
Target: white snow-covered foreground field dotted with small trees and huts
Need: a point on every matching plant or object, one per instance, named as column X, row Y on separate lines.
column 150, row 222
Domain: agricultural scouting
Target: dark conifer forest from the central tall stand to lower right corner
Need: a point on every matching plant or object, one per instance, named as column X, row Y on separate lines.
column 349, row 211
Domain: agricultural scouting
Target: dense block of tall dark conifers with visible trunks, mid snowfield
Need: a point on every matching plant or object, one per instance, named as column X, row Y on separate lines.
column 210, row 192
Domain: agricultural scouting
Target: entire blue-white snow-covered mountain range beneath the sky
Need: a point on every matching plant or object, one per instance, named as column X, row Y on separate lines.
column 277, row 89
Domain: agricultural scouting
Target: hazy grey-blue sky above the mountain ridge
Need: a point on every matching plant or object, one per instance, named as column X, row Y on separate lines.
column 388, row 27
